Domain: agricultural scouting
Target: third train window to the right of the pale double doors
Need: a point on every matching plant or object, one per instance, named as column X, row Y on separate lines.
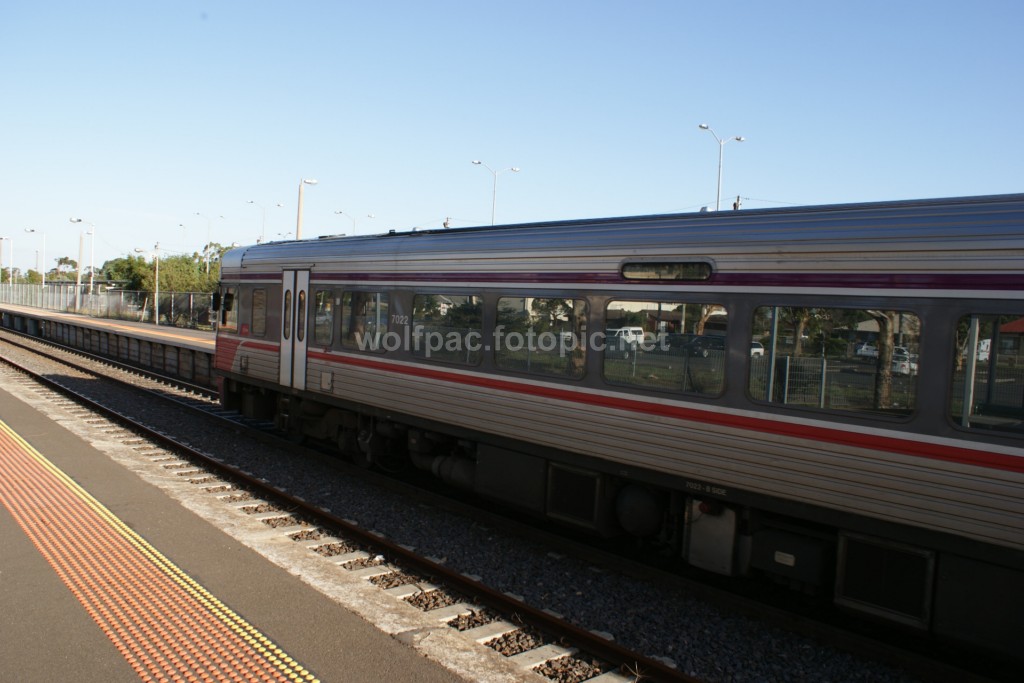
column 448, row 327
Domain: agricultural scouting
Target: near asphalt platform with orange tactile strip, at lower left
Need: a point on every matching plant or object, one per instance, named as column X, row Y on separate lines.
column 106, row 578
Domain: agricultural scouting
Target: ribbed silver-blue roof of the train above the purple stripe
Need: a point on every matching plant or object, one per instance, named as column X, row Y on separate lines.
column 977, row 234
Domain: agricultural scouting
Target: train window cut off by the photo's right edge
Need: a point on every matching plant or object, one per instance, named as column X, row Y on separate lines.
column 987, row 377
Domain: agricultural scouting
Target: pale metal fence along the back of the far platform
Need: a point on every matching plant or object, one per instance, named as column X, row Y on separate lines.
column 183, row 310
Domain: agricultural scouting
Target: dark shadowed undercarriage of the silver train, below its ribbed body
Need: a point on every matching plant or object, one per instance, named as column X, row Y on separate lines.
column 881, row 572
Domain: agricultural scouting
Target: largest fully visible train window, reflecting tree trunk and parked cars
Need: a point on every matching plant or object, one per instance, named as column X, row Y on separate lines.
column 835, row 359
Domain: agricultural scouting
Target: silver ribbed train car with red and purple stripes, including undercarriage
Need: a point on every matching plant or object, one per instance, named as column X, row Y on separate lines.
column 829, row 397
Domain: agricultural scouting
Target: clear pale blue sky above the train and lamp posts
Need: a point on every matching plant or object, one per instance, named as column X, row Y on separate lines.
column 138, row 115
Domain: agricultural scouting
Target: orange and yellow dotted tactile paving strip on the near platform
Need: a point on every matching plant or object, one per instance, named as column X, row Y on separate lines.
column 168, row 627
